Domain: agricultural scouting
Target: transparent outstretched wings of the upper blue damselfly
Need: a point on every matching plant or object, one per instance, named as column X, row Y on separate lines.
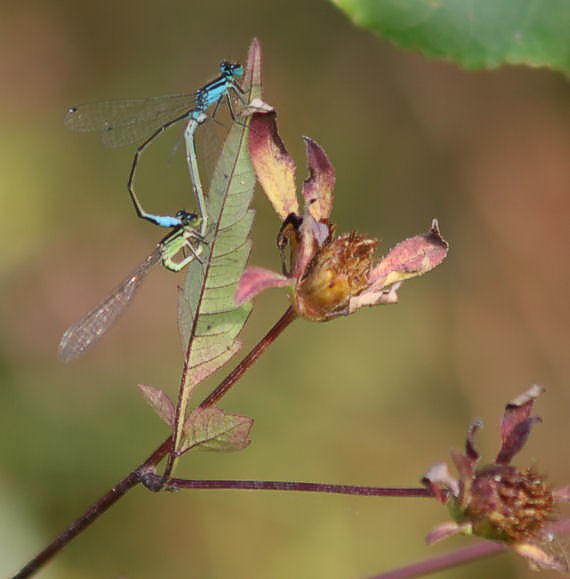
column 123, row 122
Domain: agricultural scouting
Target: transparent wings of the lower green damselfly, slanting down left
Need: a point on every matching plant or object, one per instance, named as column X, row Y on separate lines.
column 93, row 325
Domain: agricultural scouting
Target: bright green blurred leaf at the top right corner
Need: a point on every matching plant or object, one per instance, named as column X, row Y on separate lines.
column 473, row 33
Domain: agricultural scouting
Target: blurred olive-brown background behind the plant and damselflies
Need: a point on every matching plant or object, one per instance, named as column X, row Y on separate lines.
column 373, row 399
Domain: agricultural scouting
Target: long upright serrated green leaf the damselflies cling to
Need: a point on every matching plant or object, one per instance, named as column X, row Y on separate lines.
column 208, row 318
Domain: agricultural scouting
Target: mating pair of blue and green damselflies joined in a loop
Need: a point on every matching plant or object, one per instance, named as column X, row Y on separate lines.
column 124, row 122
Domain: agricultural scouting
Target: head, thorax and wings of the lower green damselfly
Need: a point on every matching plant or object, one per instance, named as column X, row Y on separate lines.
column 182, row 239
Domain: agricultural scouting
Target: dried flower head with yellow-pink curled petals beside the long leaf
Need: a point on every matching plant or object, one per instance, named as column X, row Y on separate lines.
column 328, row 276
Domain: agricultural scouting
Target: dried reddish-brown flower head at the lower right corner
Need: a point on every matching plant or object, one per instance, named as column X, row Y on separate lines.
column 498, row 501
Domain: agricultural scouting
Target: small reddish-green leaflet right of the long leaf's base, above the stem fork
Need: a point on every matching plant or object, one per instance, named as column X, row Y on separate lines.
column 213, row 429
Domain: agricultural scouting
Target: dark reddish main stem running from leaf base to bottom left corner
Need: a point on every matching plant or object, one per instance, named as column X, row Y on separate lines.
column 95, row 511
